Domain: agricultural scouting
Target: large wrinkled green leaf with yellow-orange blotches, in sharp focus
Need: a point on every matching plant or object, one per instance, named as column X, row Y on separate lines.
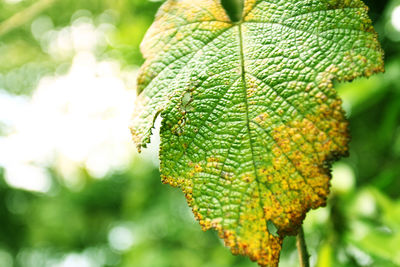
column 250, row 119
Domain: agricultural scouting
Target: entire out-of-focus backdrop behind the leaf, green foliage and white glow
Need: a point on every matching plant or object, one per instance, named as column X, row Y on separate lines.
column 75, row 193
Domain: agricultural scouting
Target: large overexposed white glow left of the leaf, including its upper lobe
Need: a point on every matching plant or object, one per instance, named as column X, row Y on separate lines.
column 72, row 121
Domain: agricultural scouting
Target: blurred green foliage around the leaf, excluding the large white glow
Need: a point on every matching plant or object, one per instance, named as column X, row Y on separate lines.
column 129, row 218
